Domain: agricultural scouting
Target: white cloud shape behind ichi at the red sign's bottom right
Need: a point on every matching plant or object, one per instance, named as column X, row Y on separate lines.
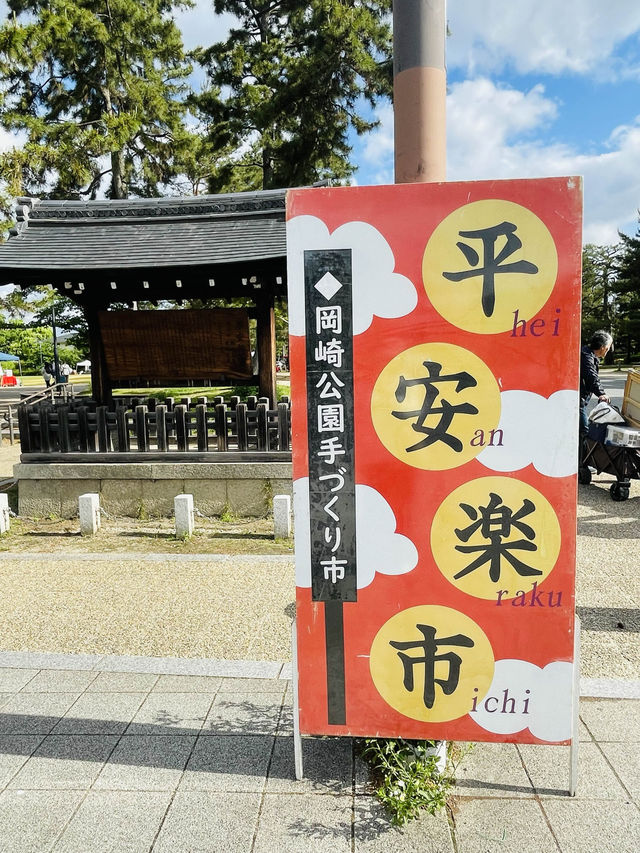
column 548, row 712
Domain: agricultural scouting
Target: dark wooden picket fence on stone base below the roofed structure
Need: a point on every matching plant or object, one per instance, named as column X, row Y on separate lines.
column 133, row 425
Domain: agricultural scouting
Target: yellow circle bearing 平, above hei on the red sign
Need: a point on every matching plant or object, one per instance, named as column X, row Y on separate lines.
column 487, row 260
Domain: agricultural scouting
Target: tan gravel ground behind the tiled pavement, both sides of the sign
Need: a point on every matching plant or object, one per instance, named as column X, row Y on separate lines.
column 184, row 603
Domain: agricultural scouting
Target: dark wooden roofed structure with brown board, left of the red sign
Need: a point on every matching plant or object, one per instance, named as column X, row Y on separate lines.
column 108, row 256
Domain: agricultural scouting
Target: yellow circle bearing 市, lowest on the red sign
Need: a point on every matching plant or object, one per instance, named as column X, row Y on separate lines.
column 430, row 662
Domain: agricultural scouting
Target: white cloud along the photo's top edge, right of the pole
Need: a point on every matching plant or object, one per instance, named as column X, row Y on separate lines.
column 578, row 36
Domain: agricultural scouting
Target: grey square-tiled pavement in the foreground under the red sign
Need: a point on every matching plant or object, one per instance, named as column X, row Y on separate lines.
column 97, row 759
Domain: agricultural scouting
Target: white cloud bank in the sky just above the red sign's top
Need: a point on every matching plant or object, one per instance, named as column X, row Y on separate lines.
column 498, row 133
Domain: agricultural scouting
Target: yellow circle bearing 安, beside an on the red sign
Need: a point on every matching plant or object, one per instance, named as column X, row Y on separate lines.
column 430, row 402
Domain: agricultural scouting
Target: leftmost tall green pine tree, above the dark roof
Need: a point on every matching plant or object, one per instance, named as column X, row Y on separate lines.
column 98, row 87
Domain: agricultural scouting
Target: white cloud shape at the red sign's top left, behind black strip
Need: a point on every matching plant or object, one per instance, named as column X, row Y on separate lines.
column 377, row 290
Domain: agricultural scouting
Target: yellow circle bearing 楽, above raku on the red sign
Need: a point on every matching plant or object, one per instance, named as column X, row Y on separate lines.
column 494, row 537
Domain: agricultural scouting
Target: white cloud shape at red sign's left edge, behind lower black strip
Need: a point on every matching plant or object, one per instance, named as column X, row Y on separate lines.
column 378, row 547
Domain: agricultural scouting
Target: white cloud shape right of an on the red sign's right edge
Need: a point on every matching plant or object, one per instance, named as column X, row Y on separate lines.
column 537, row 430
